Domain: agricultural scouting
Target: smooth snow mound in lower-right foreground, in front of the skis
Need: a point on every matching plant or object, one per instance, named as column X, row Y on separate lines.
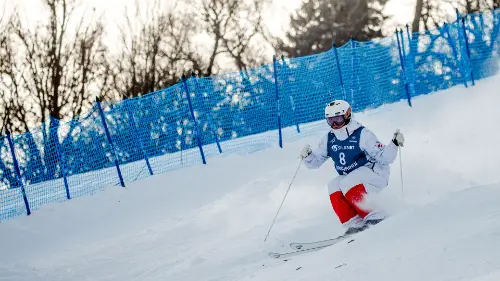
column 456, row 238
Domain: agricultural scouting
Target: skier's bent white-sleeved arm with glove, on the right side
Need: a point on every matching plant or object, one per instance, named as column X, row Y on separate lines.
column 384, row 154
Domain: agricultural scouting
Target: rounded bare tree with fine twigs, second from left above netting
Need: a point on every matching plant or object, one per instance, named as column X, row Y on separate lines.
column 155, row 50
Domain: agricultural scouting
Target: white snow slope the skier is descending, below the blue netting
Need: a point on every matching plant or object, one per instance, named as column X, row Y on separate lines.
column 209, row 222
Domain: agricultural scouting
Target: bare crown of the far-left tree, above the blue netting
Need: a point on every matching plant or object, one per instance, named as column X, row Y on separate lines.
column 60, row 72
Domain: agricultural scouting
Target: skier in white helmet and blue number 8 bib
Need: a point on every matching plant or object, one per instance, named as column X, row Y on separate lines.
column 361, row 161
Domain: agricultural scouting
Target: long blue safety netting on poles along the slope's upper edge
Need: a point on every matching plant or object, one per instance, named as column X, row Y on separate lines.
column 116, row 143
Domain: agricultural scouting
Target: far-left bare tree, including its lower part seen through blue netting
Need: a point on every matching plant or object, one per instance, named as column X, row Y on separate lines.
column 51, row 70
